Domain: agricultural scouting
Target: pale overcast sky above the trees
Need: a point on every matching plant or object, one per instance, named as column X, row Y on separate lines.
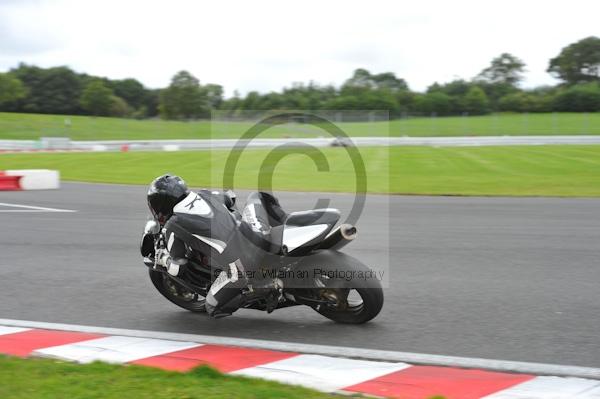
column 267, row 45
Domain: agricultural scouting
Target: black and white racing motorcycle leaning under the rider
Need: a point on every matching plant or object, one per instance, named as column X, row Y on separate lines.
column 304, row 266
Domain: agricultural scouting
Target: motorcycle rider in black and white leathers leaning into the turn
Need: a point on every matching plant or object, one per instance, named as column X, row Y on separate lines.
column 208, row 222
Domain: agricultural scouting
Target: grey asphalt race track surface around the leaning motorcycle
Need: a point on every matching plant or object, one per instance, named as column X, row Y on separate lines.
column 500, row 278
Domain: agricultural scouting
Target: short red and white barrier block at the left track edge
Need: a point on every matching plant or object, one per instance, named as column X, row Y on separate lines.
column 29, row 179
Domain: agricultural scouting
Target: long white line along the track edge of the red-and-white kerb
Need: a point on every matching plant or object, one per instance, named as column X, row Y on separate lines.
column 336, row 351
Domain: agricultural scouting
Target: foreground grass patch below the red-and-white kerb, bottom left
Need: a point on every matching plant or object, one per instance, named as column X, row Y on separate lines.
column 42, row 379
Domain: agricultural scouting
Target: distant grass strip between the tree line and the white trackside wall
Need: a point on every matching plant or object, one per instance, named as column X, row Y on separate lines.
column 32, row 126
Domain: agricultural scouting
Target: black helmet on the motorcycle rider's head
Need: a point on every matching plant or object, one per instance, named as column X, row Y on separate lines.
column 164, row 193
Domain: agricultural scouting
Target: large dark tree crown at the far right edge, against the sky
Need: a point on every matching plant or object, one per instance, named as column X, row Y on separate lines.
column 578, row 62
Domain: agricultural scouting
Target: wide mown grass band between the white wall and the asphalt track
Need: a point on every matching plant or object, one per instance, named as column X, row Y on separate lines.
column 511, row 171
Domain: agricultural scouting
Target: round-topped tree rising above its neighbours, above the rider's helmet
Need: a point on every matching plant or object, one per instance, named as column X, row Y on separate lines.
column 184, row 98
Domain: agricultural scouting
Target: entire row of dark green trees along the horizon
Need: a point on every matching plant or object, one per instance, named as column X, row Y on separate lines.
column 60, row 90
